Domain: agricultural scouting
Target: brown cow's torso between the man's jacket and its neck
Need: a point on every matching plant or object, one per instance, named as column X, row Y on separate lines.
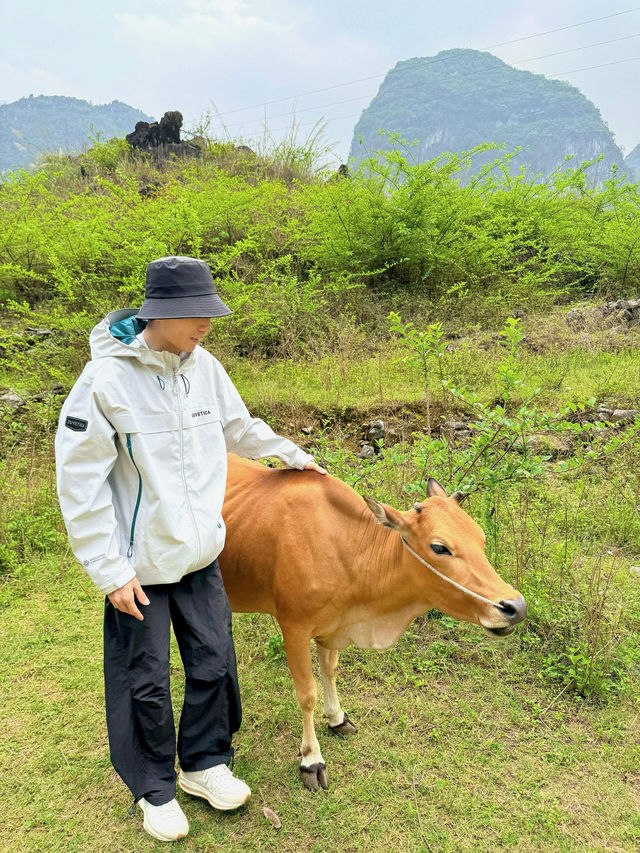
column 286, row 540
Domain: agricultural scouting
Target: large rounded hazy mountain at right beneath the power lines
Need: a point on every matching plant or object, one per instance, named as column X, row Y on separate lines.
column 461, row 98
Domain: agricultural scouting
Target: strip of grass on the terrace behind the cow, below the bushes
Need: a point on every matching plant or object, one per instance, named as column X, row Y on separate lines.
column 565, row 368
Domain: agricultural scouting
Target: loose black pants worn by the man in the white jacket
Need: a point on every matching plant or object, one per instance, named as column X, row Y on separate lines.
column 136, row 673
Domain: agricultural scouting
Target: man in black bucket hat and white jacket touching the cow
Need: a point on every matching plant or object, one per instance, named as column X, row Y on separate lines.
column 141, row 473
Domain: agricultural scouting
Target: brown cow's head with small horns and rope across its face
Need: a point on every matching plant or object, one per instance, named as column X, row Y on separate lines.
column 458, row 580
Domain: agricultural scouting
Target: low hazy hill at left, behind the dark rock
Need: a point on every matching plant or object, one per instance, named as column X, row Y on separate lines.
column 45, row 123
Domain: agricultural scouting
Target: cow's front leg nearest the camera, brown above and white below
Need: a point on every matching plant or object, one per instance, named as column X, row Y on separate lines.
column 313, row 770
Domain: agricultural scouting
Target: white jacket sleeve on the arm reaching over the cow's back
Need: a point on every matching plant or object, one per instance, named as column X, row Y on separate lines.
column 252, row 437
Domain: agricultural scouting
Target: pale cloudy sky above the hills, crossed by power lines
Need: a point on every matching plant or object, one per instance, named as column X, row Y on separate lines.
column 224, row 55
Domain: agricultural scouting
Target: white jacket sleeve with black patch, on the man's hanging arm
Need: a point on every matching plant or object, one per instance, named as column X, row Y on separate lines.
column 85, row 453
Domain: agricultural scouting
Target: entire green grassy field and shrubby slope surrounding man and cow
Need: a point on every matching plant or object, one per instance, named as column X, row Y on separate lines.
column 467, row 743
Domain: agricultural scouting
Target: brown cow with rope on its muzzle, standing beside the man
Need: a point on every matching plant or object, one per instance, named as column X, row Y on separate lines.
column 341, row 570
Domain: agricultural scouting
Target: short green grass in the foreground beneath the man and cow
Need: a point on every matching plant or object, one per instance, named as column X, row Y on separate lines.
column 461, row 746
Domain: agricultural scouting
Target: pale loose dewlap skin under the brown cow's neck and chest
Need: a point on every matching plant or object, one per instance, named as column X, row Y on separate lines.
column 370, row 631
